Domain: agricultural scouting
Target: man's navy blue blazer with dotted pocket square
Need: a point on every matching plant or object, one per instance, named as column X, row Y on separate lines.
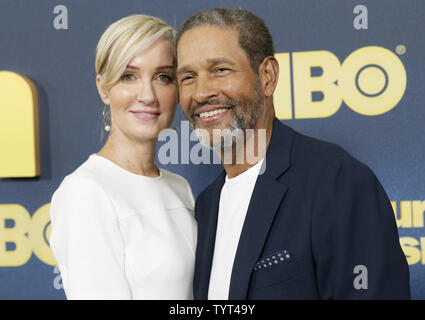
column 319, row 226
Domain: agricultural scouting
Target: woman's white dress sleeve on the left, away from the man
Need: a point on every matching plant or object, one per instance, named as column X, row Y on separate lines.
column 87, row 242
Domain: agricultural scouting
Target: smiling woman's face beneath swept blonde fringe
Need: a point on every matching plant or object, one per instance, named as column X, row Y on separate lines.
column 143, row 101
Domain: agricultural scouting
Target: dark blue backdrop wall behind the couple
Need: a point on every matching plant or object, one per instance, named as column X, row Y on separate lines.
column 61, row 65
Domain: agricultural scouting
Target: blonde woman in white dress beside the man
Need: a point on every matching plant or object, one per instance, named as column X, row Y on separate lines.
column 121, row 227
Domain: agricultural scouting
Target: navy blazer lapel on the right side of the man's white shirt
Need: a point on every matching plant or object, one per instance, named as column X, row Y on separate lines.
column 265, row 201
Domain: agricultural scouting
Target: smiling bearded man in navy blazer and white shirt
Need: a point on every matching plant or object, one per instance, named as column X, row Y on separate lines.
column 316, row 224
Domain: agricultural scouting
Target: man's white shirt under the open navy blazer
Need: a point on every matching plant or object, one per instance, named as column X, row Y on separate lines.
column 234, row 201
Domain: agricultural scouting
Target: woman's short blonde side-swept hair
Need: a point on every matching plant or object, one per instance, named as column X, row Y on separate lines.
column 123, row 40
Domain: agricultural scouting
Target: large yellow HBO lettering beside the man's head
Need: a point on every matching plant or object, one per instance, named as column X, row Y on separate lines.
column 371, row 81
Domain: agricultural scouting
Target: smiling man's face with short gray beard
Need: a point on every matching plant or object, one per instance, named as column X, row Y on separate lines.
column 218, row 88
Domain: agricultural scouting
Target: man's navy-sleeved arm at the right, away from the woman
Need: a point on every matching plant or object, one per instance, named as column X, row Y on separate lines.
column 355, row 240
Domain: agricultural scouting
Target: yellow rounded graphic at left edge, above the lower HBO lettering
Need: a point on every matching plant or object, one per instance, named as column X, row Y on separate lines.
column 19, row 134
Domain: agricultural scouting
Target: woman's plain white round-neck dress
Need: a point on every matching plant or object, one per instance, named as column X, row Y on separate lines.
column 119, row 235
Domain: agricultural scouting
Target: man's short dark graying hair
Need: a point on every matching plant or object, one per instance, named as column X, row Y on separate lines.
column 254, row 36
